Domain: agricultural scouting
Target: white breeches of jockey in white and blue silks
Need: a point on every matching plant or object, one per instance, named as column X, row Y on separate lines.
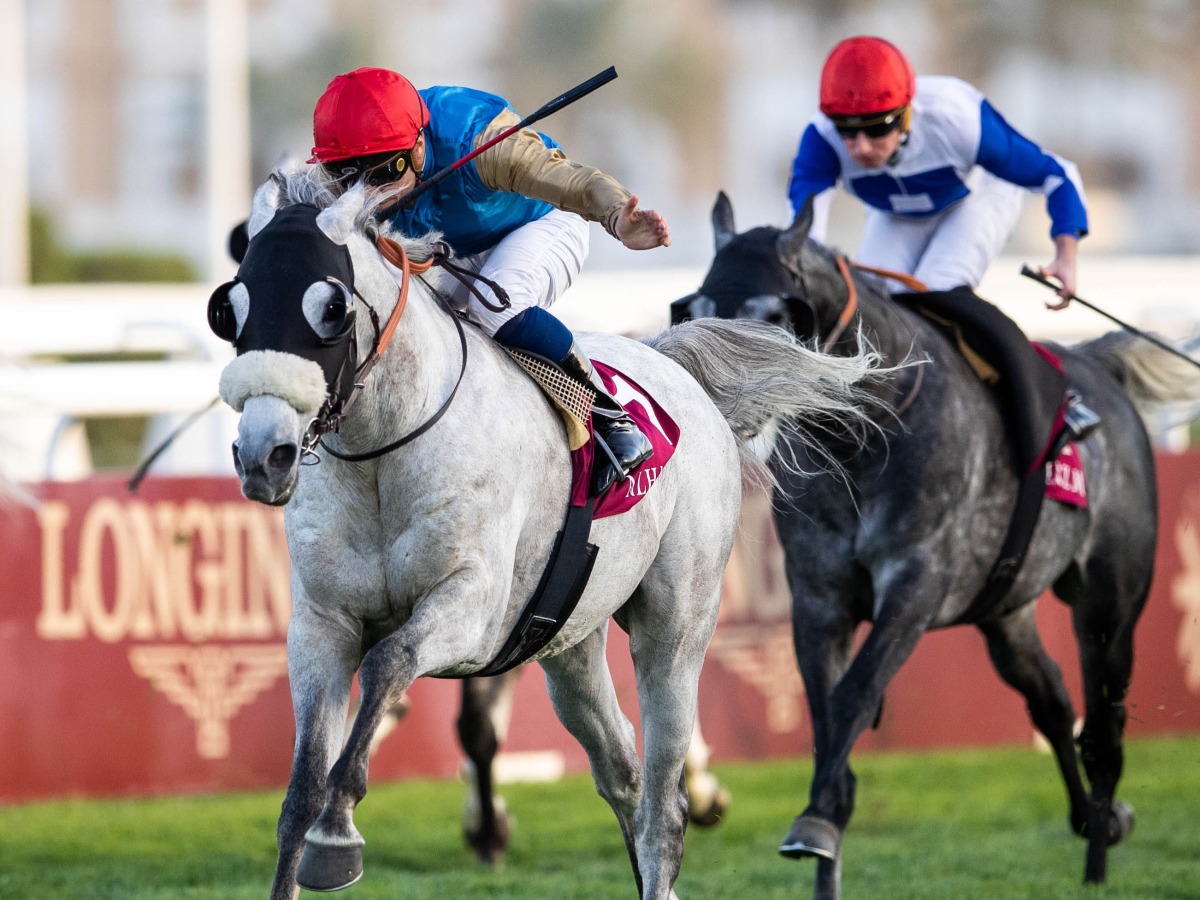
column 955, row 247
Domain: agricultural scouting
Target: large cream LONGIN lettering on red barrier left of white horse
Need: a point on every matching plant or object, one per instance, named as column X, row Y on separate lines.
column 189, row 572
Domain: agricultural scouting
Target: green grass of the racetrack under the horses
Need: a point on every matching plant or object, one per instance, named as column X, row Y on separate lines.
column 949, row 825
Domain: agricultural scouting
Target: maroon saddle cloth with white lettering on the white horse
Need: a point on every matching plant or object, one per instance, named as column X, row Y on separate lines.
column 655, row 423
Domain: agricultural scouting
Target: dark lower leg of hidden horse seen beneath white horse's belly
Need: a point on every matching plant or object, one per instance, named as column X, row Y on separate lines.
column 483, row 725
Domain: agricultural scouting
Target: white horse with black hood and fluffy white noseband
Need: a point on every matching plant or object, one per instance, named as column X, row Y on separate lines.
column 419, row 561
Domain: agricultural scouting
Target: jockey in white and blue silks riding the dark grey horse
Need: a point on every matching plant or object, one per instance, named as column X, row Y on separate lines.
column 943, row 176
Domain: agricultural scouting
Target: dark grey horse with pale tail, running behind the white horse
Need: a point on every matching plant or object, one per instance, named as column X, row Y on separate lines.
column 909, row 545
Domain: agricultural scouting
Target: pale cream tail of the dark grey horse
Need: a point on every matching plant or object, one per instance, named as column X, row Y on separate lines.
column 1149, row 374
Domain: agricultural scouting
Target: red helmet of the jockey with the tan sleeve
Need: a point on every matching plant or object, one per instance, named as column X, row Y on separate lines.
column 365, row 112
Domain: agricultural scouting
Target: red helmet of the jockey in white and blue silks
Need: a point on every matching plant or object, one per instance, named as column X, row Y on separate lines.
column 866, row 76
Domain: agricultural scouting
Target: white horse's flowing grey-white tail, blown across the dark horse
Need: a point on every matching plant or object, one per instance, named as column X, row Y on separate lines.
column 760, row 376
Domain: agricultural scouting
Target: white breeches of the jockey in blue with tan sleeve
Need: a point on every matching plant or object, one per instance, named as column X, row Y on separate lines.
column 535, row 265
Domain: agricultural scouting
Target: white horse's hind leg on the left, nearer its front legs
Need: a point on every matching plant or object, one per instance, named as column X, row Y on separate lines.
column 585, row 700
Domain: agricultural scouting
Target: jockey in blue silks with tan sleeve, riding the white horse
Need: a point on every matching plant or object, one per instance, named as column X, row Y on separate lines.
column 518, row 213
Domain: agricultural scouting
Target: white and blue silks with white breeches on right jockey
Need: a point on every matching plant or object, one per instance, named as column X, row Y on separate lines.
column 949, row 201
